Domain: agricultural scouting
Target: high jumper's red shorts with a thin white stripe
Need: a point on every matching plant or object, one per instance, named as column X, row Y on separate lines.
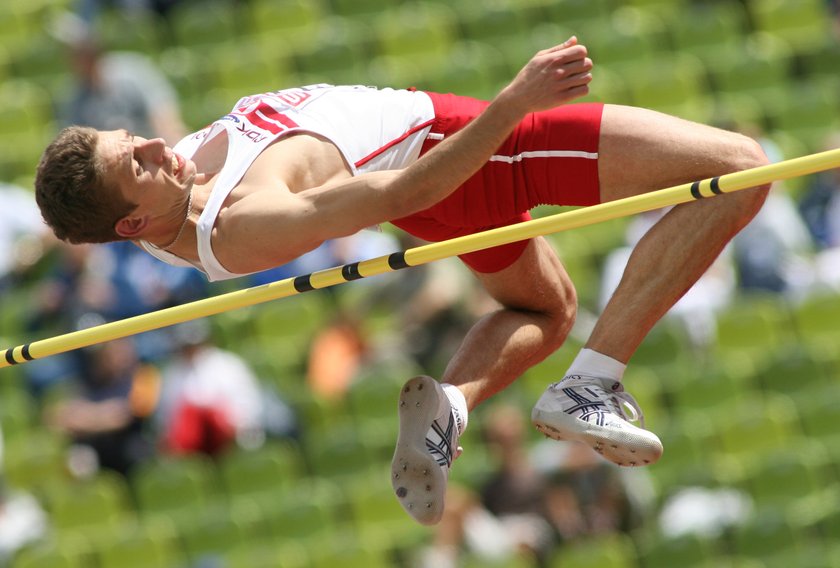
column 551, row 158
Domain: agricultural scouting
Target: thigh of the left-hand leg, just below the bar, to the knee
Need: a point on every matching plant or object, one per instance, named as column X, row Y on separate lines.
column 536, row 281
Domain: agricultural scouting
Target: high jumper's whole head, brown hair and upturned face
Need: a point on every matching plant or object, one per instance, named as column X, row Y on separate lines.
column 97, row 186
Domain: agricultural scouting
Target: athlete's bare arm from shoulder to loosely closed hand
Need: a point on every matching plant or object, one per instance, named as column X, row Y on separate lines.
column 280, row 228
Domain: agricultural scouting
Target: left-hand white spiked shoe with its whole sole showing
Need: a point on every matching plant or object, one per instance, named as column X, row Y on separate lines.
column 426, row 446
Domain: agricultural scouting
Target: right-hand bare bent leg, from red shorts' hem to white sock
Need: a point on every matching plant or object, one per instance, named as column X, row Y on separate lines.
column 642, row 151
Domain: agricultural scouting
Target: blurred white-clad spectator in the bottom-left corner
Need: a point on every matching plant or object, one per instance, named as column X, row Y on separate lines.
column 22, row 519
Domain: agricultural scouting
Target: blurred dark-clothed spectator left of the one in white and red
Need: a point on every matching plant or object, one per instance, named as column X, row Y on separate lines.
column 107, row 418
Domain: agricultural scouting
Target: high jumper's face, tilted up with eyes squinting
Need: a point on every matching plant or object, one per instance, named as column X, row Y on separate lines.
column 147, row 172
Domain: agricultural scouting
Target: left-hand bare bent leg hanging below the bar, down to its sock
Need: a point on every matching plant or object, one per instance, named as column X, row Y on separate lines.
column 539, row 305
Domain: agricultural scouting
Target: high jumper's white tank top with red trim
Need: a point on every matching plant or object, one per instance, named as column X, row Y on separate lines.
column 374, row 129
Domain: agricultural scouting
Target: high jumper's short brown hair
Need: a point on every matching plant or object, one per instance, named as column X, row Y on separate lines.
column 72, row 193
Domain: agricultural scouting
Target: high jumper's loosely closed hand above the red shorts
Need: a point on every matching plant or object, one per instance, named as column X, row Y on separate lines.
column 552, row 77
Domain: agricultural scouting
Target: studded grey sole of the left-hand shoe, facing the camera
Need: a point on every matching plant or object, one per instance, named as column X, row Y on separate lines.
column 418, row 481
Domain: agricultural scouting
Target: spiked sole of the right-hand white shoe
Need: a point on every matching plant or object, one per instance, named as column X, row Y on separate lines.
column 628, row 449
